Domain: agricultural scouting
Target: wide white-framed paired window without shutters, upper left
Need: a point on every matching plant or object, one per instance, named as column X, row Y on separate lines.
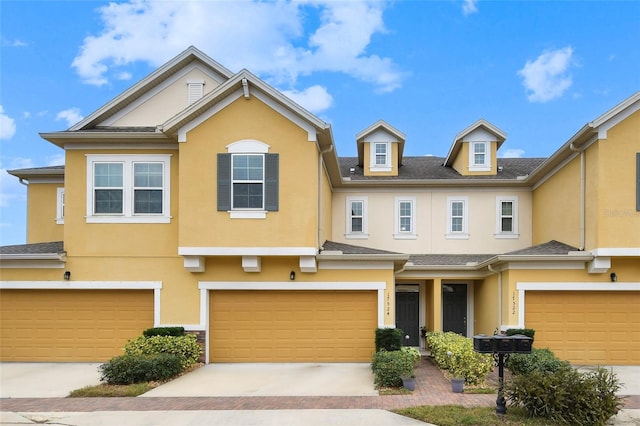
column 128, row 188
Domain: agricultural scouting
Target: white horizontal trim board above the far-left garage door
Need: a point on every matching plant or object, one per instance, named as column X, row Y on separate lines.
column 81, row 285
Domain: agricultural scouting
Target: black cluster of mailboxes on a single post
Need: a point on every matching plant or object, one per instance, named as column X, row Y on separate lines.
column 500, row 347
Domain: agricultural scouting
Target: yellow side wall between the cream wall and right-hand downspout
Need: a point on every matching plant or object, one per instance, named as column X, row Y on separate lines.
column 556, row 206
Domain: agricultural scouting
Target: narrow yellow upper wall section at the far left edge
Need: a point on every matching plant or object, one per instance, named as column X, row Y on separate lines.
column 43, row 223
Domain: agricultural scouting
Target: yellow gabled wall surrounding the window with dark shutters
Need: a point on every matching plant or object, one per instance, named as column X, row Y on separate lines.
column 295, row 222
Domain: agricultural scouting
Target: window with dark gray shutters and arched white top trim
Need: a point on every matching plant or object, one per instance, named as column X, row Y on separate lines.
column 247, row 180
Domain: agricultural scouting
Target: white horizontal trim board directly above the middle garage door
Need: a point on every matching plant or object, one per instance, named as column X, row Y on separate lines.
column 291, row 285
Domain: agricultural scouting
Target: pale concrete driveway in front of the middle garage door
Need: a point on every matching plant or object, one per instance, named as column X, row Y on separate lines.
column 264, row 379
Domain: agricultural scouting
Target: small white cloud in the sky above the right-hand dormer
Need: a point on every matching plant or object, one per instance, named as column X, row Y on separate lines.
column 547, row 77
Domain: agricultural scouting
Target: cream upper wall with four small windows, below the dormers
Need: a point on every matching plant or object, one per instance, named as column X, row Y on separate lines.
column 431, row 217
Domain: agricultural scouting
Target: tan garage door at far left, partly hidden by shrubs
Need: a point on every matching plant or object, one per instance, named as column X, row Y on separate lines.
column 71, row 325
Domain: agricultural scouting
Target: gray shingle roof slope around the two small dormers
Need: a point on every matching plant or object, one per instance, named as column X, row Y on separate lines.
column 432, row 168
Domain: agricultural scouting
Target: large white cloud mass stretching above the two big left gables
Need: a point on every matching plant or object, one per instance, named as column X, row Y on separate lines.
column 272, row 39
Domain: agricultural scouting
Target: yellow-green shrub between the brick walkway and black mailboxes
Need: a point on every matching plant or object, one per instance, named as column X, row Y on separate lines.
column 455, row 353
